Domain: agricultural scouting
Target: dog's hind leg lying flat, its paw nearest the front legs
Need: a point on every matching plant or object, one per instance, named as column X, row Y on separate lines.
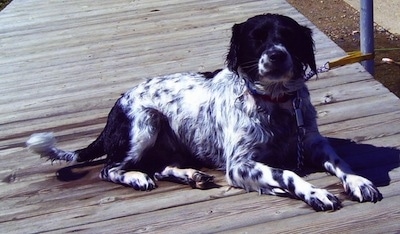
column 192, row 177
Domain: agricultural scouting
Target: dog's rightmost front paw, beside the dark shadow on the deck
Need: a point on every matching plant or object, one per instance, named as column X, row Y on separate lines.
column 361, row 189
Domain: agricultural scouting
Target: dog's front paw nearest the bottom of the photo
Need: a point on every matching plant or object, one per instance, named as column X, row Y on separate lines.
column 322, row 200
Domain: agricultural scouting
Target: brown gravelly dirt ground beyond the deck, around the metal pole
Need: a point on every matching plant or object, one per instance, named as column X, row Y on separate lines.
column 340, row 22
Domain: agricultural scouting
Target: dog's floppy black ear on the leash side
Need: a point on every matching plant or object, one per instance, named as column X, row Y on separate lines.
column 308, row 49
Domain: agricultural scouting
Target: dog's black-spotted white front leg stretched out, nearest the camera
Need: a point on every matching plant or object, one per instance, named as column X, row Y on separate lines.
column 254, row 176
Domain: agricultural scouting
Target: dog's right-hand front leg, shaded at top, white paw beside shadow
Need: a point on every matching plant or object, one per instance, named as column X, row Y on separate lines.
column 357, row 187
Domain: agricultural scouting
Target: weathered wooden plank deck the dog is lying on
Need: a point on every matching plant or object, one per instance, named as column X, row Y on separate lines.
column 64, row 63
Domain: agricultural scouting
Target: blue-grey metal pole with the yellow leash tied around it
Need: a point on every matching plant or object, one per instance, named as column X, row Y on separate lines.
column 367, row 32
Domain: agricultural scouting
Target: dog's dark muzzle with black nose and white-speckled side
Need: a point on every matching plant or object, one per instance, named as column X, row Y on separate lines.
column 275, row 63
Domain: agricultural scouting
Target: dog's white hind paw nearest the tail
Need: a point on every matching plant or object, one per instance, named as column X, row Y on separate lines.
column 138, row 181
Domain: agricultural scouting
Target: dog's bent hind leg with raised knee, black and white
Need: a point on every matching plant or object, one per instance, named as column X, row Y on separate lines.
column 127, row 162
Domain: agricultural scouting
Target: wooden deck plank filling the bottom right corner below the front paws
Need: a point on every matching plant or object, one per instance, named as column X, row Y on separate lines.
column 346, row 221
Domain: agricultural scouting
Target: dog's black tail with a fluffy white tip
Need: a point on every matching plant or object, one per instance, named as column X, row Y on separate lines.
column 44, row 144
